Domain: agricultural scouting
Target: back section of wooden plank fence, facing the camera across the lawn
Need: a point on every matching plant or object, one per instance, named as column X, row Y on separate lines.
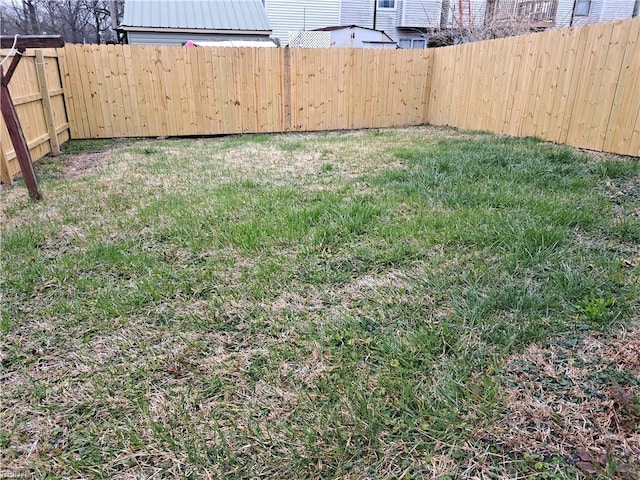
column 116, row 91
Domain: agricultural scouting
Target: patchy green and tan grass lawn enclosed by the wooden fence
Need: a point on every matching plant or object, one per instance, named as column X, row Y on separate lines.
column 414, row 303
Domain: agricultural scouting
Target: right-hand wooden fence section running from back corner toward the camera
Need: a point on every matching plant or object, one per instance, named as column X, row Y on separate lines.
column 578, row 86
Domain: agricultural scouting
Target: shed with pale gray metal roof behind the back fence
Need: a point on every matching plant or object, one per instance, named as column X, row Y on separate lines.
column 174, row 22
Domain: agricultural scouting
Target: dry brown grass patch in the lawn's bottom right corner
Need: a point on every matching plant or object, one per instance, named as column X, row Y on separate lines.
column 562, row 400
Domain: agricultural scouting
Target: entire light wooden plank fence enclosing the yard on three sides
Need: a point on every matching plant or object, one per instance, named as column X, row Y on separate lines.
column 576, row 86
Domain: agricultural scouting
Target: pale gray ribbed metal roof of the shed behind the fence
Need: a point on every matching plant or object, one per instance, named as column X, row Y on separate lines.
column 196, row 14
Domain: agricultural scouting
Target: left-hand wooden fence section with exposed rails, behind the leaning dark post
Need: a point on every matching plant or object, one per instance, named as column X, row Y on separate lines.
column 36, row 90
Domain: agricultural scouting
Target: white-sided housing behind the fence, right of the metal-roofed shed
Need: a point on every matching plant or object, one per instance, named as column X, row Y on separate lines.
column 410, row 22
